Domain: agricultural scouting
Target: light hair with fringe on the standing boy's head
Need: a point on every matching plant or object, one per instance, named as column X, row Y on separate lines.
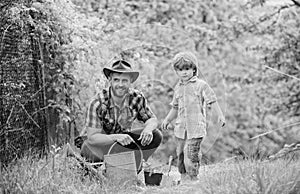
column 184, row 60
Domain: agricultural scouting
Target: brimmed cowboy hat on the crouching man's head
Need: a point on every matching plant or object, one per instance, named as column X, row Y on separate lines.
column 121, row 66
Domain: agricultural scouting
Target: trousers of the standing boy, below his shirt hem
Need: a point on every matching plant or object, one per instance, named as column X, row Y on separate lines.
column 189, row 155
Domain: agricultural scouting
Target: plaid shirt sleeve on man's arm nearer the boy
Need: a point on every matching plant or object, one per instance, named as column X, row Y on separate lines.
column 144, row 111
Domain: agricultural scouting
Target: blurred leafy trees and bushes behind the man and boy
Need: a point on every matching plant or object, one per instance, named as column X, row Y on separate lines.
column 248, row 51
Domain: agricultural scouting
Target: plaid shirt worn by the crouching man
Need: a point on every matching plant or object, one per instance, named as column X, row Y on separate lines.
column 109, row 118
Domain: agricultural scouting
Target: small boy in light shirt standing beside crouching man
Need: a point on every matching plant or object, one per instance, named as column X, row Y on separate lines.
column 190, row 99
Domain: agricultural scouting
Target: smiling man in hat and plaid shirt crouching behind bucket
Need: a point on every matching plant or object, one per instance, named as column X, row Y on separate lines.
column 111, row 113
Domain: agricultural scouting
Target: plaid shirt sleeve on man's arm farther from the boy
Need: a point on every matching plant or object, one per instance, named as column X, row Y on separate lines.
column 92, row 120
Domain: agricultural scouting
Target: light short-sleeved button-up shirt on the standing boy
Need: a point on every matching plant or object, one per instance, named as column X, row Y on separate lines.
column 191, row 99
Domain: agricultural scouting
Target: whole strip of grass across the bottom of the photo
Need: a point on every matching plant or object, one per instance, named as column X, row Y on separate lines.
column 63, row 175
